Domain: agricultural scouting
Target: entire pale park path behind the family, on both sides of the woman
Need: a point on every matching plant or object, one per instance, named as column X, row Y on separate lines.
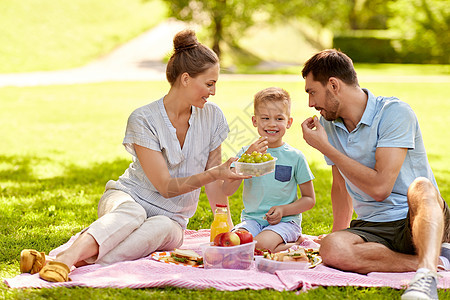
column 141, row 60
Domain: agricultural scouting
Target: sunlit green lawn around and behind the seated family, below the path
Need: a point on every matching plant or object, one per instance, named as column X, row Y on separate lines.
column 61, row 144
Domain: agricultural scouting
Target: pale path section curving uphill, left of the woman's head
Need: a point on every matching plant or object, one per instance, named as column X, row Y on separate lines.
column 139, row 59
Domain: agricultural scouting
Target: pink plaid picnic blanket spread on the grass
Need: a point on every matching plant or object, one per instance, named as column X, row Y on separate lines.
column 147, row 273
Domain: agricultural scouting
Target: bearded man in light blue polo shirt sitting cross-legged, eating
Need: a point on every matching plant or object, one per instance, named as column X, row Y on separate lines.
column 379, row 169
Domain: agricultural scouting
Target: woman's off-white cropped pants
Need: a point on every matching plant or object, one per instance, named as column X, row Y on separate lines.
column 123, row 231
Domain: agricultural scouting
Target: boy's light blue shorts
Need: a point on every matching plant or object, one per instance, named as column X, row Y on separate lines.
column 289, row 231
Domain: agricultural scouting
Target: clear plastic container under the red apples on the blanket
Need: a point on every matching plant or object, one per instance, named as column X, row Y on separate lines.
column 234, row 257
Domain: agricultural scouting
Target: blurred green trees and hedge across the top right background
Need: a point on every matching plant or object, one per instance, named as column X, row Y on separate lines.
column 421, row 26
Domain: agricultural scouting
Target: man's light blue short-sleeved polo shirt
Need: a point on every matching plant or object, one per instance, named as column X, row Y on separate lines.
column 386, row 122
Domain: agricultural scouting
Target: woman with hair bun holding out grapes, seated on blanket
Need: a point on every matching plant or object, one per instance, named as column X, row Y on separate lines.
column 176, row 147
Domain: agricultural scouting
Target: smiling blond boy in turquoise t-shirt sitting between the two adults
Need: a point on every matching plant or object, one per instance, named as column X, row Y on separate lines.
column 272, row 212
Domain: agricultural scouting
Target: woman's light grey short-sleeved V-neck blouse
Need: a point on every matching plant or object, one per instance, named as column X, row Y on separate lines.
column 149, row 126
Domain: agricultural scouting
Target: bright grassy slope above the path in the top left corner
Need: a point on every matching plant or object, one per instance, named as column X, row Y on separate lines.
column 43, row 35
